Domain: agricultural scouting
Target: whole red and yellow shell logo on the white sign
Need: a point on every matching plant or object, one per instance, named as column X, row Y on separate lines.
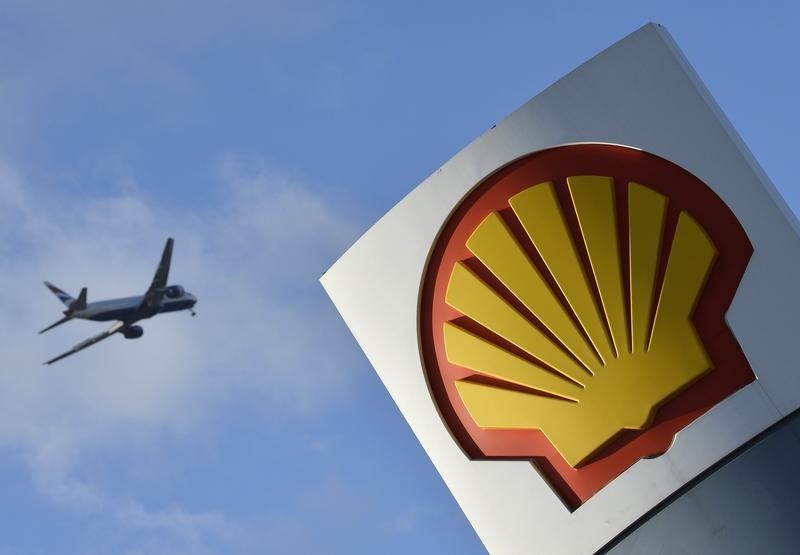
column 573, row 312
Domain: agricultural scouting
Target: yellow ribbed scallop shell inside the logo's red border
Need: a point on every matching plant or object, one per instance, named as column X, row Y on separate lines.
column 611, row 342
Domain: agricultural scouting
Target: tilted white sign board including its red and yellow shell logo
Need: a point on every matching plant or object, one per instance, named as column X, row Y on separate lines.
column 586, row 308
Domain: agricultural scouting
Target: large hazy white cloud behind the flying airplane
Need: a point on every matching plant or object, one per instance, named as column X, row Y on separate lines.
column 264, row 333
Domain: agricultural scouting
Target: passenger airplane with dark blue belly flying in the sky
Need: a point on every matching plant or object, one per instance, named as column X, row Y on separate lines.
column 159, row 298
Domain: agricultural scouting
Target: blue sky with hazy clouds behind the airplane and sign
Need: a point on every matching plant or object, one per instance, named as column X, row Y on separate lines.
column 265, row 136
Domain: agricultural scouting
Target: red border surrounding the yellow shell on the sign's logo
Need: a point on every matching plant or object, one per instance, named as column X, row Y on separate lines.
column 685, row 192
